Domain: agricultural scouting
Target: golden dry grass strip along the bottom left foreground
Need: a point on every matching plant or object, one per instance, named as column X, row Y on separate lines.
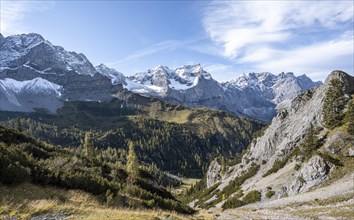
column 28, row 200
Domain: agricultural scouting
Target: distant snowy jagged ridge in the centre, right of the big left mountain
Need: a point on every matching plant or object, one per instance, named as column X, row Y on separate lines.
column 255, row 95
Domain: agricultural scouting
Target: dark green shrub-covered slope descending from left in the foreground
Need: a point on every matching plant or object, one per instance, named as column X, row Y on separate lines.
column 24, row 159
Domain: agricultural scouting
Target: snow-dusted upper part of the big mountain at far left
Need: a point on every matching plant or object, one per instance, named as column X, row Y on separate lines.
column 39, row 54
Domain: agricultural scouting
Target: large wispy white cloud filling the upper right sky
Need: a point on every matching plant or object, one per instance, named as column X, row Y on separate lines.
column 283, row 35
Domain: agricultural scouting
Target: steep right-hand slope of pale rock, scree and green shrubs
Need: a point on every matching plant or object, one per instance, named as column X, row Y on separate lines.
column 296, row 153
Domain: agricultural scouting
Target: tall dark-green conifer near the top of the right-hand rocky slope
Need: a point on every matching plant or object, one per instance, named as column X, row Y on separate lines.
column 334, row 104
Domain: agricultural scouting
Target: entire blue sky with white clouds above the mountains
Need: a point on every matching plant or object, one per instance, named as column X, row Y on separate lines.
column 227, row 37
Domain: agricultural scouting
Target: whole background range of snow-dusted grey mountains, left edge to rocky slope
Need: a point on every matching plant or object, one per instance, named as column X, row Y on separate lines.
column 34, row 74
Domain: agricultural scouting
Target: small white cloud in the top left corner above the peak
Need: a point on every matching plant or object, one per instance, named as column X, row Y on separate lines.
column 13, row 14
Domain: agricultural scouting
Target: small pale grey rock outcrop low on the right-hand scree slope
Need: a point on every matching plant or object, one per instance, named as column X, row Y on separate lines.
column 311, row 174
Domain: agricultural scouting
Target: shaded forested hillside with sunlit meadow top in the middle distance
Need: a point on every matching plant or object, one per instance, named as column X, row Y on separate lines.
column 173, row 138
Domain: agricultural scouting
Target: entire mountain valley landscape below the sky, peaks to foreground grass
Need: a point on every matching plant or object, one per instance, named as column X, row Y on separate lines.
column 81, row 142
